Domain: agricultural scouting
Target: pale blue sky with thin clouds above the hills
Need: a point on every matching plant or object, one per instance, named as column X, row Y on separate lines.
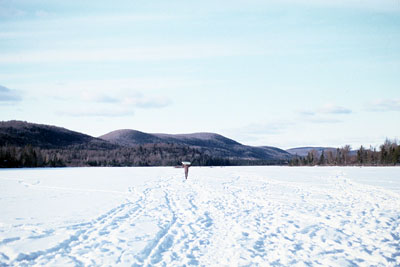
column 286, row 73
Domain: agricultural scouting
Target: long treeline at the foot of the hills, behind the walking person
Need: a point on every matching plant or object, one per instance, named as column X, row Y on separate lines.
column 77, row 156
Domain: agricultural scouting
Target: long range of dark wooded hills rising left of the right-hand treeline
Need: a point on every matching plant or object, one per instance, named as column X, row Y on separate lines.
column 24, row 144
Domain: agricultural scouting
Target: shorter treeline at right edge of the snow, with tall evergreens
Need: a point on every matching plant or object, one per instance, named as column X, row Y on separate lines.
column 388, row 154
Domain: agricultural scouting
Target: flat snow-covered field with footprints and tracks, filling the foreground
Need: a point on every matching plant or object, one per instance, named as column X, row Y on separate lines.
column 231, row 216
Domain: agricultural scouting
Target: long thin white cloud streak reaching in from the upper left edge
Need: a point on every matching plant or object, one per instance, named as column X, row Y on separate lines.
column 155, row 53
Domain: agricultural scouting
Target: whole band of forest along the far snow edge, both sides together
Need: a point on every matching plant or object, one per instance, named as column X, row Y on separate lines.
column 388, row 154
